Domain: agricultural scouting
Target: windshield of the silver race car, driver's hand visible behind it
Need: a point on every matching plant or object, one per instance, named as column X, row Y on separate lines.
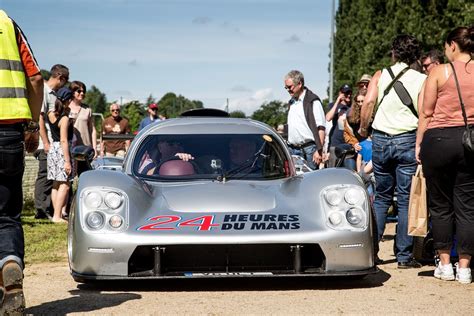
column 210, row 156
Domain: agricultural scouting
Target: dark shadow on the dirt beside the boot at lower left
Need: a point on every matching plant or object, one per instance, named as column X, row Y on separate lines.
column 82, row 301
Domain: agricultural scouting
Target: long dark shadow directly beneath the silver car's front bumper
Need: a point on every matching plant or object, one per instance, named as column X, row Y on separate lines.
column 240, row 284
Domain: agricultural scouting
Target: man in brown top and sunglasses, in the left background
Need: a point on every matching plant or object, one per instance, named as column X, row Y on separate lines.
column 114, row 124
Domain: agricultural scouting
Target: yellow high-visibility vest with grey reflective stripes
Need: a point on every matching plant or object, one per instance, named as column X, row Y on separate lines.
column 13, row 94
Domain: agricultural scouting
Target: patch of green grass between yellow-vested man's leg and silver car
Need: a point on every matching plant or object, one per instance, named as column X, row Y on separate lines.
column 44, row 241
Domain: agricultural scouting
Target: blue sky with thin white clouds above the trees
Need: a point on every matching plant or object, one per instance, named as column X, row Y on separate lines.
column 207, row 50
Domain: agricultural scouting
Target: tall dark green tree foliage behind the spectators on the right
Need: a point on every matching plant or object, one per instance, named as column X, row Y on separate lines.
column 365, row 29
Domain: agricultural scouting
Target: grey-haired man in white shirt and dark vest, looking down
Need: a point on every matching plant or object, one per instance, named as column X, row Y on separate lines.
column 306, row 120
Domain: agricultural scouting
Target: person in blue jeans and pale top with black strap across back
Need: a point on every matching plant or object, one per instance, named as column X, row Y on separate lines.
column 394, row 137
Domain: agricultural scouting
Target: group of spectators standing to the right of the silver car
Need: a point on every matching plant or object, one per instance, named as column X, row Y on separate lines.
column 414, row 111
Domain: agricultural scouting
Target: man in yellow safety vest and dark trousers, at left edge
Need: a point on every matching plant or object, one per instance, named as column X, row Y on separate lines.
column 21, row 94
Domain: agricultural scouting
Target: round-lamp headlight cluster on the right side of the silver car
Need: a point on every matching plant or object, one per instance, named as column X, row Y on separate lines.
column 346, row 207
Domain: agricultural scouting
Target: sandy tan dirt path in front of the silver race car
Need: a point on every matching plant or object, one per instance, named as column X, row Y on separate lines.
column 49, row 289
